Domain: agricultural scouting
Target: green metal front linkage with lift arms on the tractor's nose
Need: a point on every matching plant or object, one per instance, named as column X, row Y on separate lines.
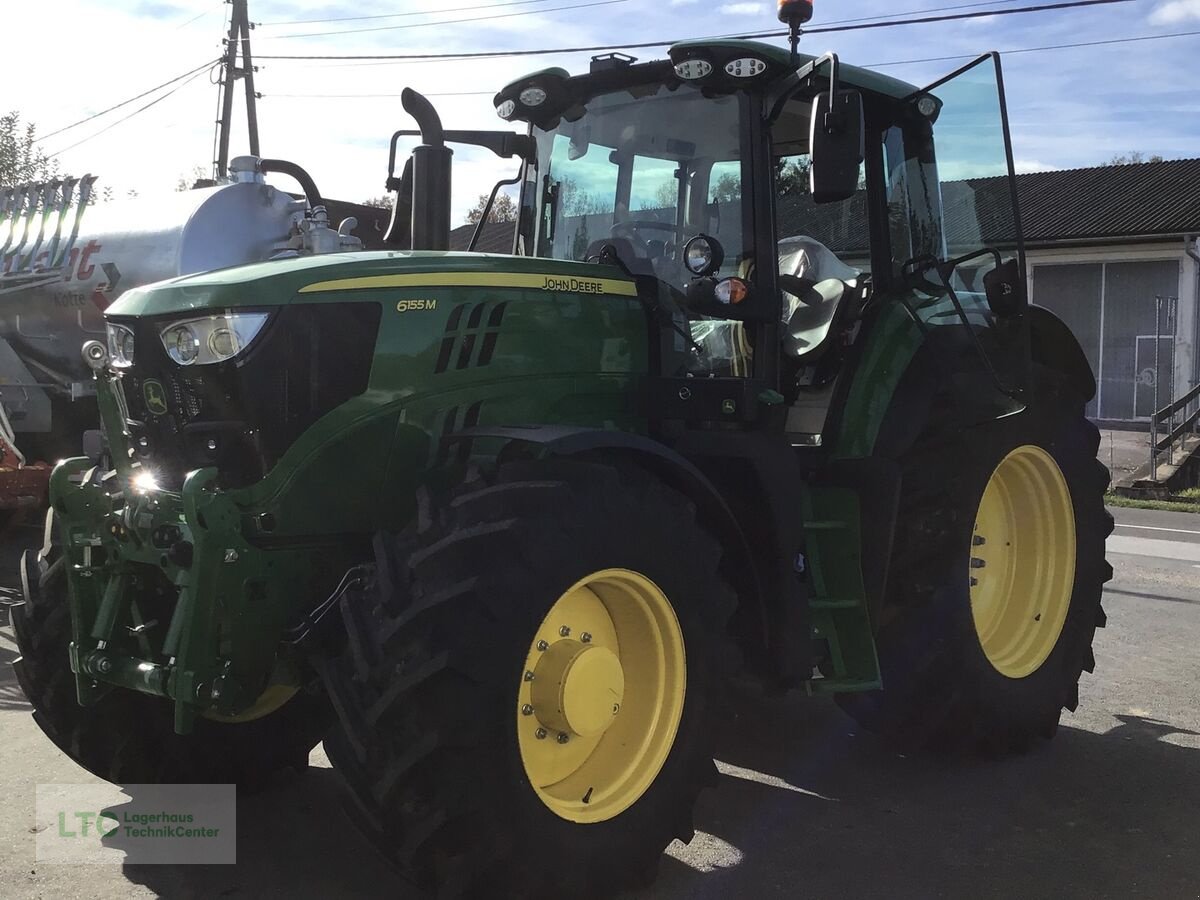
column 167, row 596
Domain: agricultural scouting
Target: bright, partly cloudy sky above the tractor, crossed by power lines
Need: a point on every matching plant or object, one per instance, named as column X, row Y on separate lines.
column 1069, row 107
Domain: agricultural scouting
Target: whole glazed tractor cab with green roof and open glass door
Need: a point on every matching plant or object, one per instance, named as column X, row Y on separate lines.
column 766, row 203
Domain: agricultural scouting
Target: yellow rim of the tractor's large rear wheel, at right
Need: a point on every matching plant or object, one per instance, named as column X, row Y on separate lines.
column 1023, row 562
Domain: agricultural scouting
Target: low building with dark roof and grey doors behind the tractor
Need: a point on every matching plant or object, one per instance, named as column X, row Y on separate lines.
column 1111, row 250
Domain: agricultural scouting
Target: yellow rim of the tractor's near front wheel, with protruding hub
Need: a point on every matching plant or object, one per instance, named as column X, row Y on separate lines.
column 602, row 695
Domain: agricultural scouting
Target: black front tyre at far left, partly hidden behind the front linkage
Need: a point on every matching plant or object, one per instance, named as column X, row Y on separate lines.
column 129, row 737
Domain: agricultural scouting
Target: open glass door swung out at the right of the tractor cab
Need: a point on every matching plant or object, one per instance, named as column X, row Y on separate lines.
column 956, row 230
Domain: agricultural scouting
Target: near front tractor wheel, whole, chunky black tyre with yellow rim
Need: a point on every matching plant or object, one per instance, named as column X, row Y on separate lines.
column 527, row 689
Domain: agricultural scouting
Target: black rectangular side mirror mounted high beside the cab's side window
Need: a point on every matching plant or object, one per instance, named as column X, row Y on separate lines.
column 836, row 146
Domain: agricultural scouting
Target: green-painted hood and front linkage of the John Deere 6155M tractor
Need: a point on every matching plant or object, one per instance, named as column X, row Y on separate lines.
column 357, row 471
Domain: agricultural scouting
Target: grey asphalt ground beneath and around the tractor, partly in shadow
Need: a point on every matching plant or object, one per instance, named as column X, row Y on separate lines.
column 808, row 807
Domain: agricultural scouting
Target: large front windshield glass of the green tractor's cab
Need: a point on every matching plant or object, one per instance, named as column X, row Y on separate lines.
column 645, row 170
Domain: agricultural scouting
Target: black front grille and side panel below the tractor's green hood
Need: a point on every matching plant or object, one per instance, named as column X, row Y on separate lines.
column 244, row 415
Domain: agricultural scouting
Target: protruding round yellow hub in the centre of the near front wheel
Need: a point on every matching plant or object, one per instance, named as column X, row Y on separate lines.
column 578, row 688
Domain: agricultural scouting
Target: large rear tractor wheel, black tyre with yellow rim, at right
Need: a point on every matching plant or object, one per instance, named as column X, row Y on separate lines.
column 997, row 581
